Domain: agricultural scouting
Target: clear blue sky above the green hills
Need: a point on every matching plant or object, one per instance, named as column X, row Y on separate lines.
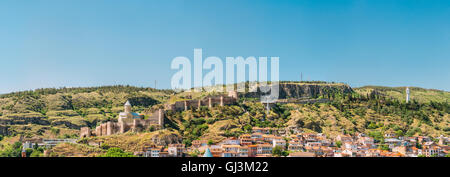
column 55, row 43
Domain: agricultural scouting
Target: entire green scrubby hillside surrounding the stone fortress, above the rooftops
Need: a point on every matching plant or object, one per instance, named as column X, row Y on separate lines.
column 59, row 113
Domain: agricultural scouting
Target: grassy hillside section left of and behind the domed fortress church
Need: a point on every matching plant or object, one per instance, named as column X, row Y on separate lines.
column 62, row 112
